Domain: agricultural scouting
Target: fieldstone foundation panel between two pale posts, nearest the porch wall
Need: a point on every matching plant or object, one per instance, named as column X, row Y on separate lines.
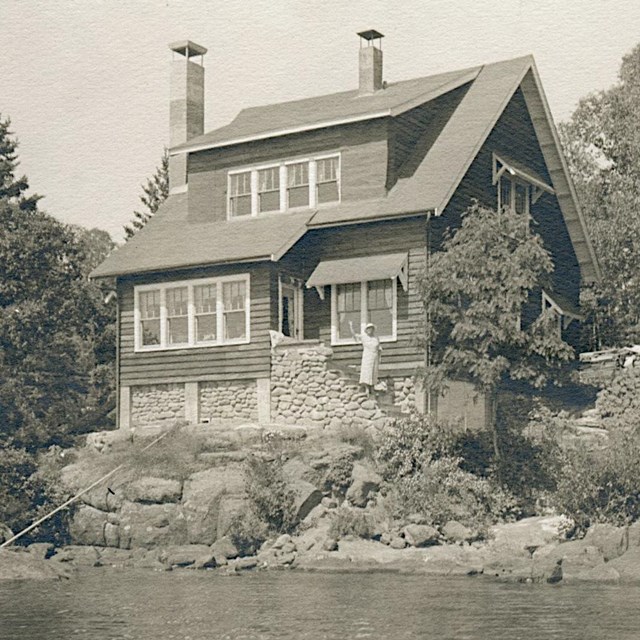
column 232, row 399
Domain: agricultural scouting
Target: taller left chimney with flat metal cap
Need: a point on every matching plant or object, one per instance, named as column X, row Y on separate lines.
column 186, row 110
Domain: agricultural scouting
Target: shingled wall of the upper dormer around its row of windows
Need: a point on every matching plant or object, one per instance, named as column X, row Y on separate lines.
column 363, row 149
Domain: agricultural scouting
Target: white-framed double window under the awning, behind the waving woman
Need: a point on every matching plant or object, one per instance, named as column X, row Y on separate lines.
column 356, row 304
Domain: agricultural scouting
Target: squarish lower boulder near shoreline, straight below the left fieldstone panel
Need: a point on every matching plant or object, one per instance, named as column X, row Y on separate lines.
column 151, row 525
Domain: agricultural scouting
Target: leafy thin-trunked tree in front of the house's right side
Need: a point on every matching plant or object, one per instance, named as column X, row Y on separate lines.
column 477, row 294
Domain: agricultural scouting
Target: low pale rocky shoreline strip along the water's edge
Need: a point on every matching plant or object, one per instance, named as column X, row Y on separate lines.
column 527, row 551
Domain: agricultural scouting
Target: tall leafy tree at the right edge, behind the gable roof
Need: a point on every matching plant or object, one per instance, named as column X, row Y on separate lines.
column 601, row 141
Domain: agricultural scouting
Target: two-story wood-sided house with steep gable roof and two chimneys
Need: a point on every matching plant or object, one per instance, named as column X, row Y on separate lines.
column 297, row 219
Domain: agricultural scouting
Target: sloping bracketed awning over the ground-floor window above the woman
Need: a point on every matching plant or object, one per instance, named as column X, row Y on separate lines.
column 379, row 267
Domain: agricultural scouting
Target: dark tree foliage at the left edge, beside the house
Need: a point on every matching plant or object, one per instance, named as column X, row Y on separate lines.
column 50, row 317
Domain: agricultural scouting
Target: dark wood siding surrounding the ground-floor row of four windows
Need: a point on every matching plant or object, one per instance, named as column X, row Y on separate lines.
column 240, row 361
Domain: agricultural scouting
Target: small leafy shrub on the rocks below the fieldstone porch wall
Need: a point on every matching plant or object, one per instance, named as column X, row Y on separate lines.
column 270, row 497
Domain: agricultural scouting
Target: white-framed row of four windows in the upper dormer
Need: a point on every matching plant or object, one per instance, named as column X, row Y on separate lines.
column 285, row 185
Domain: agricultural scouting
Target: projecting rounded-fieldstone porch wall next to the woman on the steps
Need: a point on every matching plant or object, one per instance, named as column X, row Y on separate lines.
column 306, row 390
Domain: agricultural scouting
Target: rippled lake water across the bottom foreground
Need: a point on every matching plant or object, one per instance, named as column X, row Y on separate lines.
column 143, row 605
